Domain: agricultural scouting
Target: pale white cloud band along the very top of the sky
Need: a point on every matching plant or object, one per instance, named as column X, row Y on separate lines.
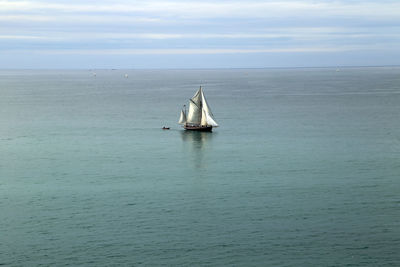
column 209, row 9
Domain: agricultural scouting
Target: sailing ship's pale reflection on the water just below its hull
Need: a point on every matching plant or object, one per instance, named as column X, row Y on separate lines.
column 196, row 144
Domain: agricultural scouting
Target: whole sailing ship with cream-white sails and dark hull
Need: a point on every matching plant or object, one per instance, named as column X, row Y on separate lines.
column 199, row 117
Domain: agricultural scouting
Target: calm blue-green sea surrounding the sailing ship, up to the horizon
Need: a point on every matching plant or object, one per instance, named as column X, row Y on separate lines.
column 303, row 170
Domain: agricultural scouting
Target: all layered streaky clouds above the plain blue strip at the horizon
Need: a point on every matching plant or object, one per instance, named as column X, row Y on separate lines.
column 123, row 27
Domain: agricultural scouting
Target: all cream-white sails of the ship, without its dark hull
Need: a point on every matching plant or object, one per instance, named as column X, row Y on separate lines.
column 199, row 111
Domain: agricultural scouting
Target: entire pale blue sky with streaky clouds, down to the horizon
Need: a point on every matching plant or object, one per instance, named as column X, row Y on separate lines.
column 198, row 34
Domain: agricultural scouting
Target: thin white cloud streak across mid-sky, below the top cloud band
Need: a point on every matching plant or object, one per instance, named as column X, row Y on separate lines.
column 278, row 33
